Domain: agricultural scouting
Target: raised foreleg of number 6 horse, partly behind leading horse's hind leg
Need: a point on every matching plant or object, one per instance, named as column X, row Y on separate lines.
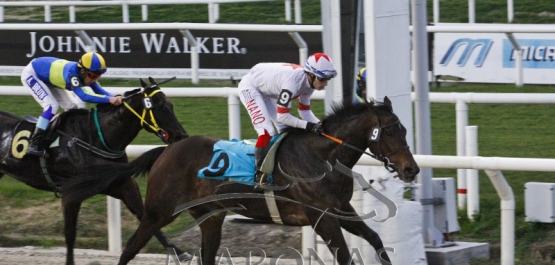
column 130, row 195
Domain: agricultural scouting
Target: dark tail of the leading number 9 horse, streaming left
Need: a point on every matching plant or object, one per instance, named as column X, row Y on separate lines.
column 93, row 180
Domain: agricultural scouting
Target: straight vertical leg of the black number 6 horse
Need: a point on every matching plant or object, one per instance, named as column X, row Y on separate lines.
column 71, row 212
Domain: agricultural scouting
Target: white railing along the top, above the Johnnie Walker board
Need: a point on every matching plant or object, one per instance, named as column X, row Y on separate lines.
column 213, row 7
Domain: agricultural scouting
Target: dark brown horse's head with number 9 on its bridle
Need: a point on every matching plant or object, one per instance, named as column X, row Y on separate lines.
column 387, row 141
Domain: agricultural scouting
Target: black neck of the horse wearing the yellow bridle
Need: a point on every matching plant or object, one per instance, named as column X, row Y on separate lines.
column 119, row 127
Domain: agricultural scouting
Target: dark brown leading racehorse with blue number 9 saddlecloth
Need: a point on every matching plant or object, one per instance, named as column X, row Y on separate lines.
column 312, row 191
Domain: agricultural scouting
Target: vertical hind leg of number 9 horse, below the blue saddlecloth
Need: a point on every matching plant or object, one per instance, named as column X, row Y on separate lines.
column 211, row 230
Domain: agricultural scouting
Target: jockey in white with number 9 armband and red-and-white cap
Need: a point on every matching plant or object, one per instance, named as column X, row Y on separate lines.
column 268, row 90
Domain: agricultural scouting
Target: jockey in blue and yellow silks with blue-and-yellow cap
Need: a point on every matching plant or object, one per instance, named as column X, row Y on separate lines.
column 56, row 82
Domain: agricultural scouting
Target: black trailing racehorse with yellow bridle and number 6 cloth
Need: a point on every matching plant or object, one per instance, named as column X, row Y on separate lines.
column 89, row 138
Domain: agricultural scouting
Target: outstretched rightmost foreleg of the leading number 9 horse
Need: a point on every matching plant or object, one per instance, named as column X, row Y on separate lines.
column 359, row 228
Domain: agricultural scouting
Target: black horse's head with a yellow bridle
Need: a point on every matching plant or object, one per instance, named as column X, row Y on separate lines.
column 155, row 111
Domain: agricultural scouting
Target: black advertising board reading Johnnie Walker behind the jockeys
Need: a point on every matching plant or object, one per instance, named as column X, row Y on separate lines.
column 134, row 53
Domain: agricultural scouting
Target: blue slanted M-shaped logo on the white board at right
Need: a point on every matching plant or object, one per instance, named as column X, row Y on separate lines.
column 471, row 45
